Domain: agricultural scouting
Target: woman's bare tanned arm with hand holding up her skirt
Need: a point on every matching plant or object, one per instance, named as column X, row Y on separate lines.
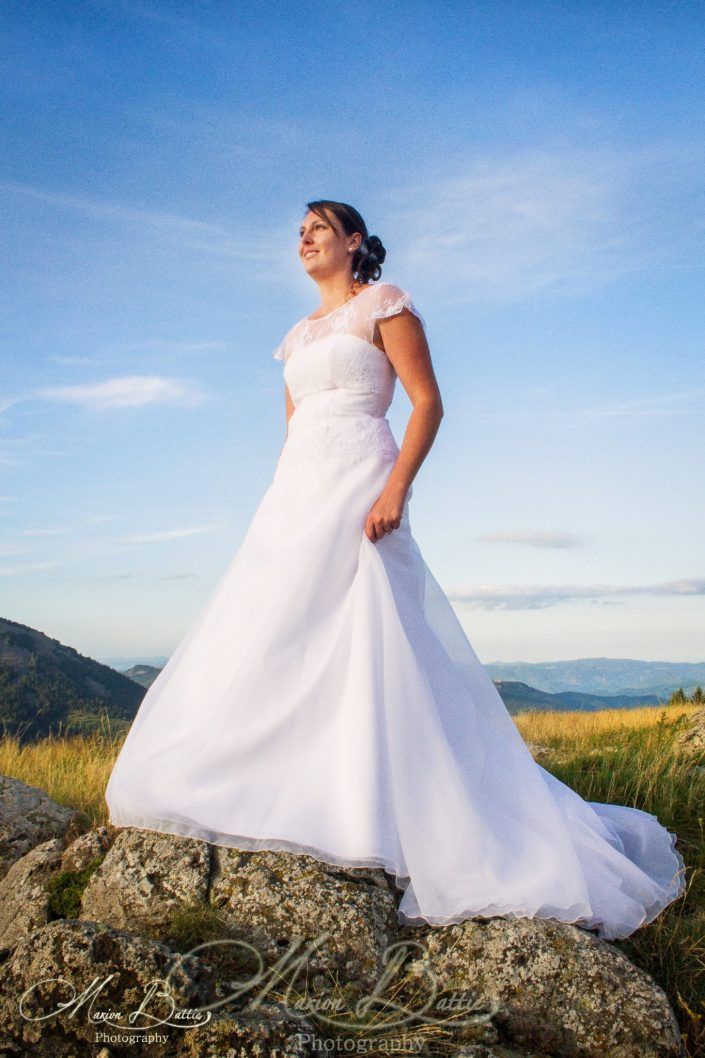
column 408, row 351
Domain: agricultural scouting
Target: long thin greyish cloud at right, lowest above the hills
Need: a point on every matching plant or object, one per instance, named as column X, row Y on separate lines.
column 543, row 596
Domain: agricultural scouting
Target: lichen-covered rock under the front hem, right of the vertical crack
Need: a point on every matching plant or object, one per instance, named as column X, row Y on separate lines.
column 279, row 902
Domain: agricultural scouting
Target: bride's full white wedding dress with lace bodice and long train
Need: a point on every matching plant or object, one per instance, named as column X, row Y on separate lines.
column 327, row 700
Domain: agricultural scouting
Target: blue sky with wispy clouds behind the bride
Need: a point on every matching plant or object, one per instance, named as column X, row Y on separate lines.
column 535, row 171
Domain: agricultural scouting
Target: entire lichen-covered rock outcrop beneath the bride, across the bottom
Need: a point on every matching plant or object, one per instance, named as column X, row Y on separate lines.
column 555, row 989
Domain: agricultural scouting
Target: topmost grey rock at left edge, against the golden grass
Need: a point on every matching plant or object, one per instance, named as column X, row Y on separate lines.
column 29, row 817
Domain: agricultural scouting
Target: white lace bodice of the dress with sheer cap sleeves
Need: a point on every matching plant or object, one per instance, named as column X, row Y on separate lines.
column 340, row 382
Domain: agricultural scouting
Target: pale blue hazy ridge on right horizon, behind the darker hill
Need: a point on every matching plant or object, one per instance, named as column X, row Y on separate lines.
column 611, row 677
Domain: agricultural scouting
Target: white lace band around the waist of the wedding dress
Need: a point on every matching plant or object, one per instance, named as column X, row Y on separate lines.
column 347, row 437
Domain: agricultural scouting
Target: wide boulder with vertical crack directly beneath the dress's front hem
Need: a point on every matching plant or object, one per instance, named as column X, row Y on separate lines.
column 276, row 903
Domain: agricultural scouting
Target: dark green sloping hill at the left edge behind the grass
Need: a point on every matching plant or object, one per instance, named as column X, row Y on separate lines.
column 47, row 687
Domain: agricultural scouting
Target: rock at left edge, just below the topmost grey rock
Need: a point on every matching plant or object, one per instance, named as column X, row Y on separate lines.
column 24, row 895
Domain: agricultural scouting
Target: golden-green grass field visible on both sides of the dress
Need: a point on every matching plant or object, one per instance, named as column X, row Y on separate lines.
column 618, row 756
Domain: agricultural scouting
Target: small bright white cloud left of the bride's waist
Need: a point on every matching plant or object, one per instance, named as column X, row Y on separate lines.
column 133, row 391
